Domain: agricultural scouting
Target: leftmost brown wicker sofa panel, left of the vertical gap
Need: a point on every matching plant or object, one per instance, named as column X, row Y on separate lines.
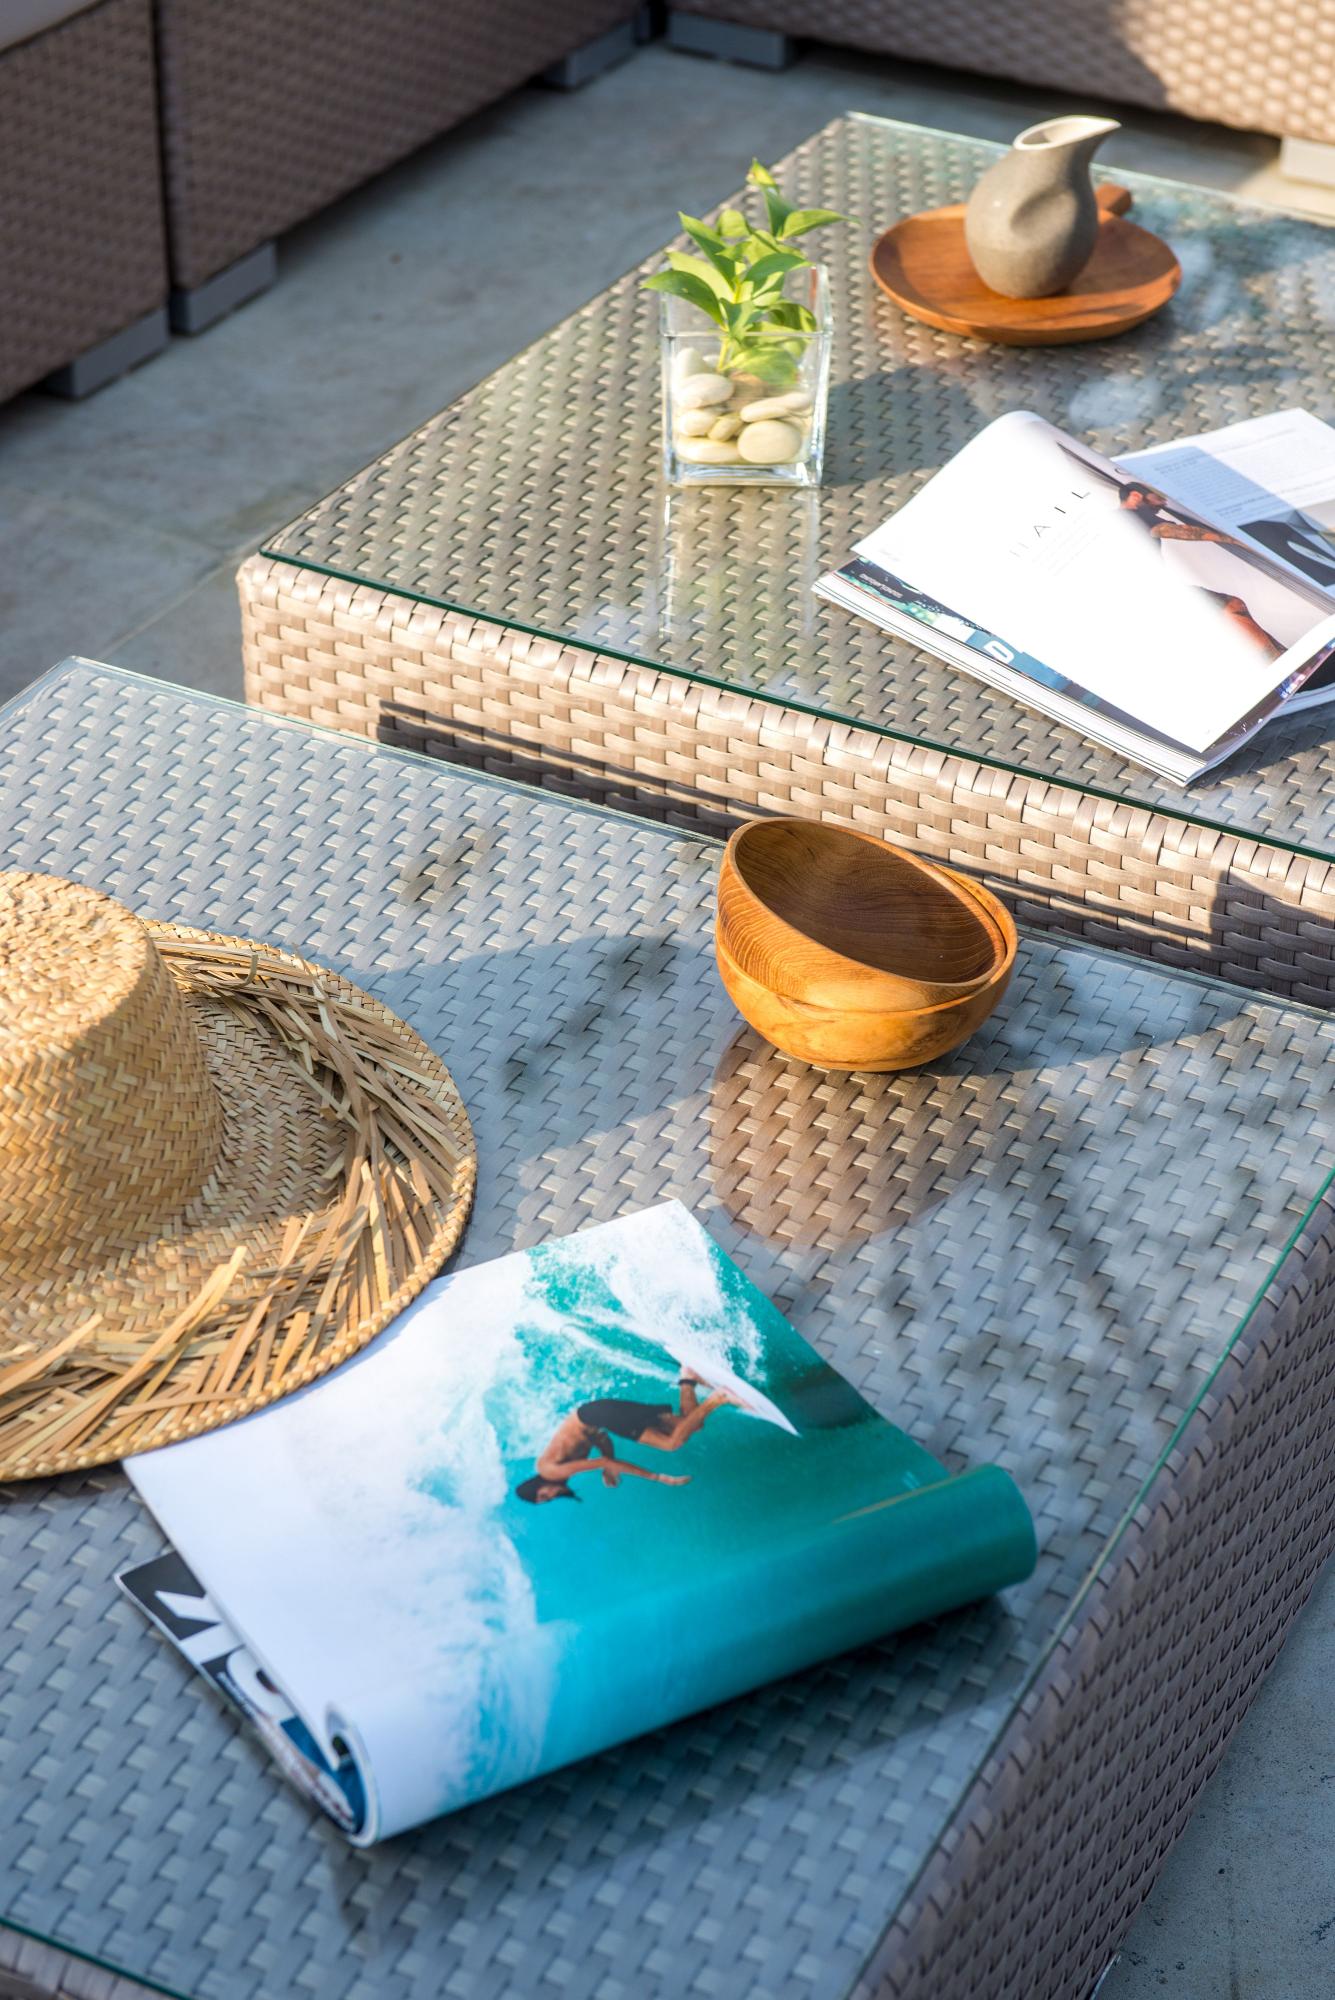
column 81, row 201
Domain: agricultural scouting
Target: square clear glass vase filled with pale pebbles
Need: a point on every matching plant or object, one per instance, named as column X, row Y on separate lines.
column 728, row 427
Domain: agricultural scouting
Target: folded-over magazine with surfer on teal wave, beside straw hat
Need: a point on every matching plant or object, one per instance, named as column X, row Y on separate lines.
column 569, row 1497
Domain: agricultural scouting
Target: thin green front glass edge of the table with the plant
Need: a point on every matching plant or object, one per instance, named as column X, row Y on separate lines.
column 1262, row 837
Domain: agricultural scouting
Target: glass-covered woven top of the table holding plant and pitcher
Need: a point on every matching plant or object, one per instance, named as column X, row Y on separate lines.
column 537, row 501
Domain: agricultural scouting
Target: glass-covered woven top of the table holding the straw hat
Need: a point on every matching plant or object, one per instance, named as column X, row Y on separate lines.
column 1032, row 1253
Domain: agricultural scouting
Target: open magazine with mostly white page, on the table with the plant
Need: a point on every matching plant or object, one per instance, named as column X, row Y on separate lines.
column 1166, row 603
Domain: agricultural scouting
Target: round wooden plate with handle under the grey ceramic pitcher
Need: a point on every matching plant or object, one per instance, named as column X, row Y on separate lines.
column 924, row 265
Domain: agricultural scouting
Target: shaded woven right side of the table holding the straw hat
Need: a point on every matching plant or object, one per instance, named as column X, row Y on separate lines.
column 1136, row 1707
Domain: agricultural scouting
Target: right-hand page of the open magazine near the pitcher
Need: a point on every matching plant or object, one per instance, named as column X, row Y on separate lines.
column 1270, row 479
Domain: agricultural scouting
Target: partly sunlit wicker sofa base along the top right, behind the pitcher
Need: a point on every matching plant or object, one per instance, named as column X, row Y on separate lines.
column 1270, row 69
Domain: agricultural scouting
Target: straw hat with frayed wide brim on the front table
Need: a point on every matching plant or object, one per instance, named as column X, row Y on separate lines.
column 223, row 1171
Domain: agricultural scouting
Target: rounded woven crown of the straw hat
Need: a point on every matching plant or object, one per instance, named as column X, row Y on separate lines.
column 109, row 1119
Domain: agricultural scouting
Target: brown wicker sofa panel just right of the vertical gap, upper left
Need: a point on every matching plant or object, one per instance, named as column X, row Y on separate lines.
column 271, row 109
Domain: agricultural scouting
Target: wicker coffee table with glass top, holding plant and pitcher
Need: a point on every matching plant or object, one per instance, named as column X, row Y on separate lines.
column 515, row 589
